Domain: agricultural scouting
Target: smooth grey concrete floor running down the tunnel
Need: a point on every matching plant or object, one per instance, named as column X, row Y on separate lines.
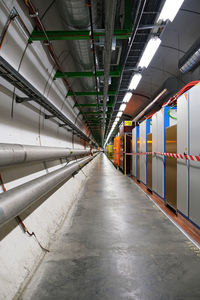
column 120, row 246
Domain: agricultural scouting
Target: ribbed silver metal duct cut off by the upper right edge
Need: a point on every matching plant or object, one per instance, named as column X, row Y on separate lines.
column 191, row 59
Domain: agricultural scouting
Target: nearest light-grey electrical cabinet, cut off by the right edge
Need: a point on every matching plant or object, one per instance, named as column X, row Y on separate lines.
column 188, row 141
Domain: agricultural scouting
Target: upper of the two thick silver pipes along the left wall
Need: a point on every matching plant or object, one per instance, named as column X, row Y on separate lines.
column 11, row 154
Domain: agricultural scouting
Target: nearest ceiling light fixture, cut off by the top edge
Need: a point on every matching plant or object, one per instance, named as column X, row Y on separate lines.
column 170, row 10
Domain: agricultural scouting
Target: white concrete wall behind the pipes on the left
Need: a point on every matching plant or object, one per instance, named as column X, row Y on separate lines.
column 25, row 124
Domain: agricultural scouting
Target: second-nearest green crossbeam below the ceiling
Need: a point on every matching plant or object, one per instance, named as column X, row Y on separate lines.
column 84, row 74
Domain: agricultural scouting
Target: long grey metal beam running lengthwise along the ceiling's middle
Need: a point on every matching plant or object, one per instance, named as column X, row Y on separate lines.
column 110, row 12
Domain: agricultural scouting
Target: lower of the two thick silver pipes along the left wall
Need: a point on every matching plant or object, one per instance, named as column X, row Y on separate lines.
column 18, row 199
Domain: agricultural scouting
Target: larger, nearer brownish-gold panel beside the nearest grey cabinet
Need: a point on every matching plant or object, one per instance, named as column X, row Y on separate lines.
column 171, row 166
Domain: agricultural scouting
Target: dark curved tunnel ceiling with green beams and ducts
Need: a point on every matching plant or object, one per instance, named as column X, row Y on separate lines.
column 92, row 40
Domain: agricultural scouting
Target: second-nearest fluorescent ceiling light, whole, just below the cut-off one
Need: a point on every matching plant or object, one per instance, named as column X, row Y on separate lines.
column 149, row 52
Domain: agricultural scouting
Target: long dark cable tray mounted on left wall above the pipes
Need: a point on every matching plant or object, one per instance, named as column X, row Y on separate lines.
column 17, row 80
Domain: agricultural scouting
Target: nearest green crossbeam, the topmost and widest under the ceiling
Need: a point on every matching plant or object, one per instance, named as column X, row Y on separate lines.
column 75, row 35
